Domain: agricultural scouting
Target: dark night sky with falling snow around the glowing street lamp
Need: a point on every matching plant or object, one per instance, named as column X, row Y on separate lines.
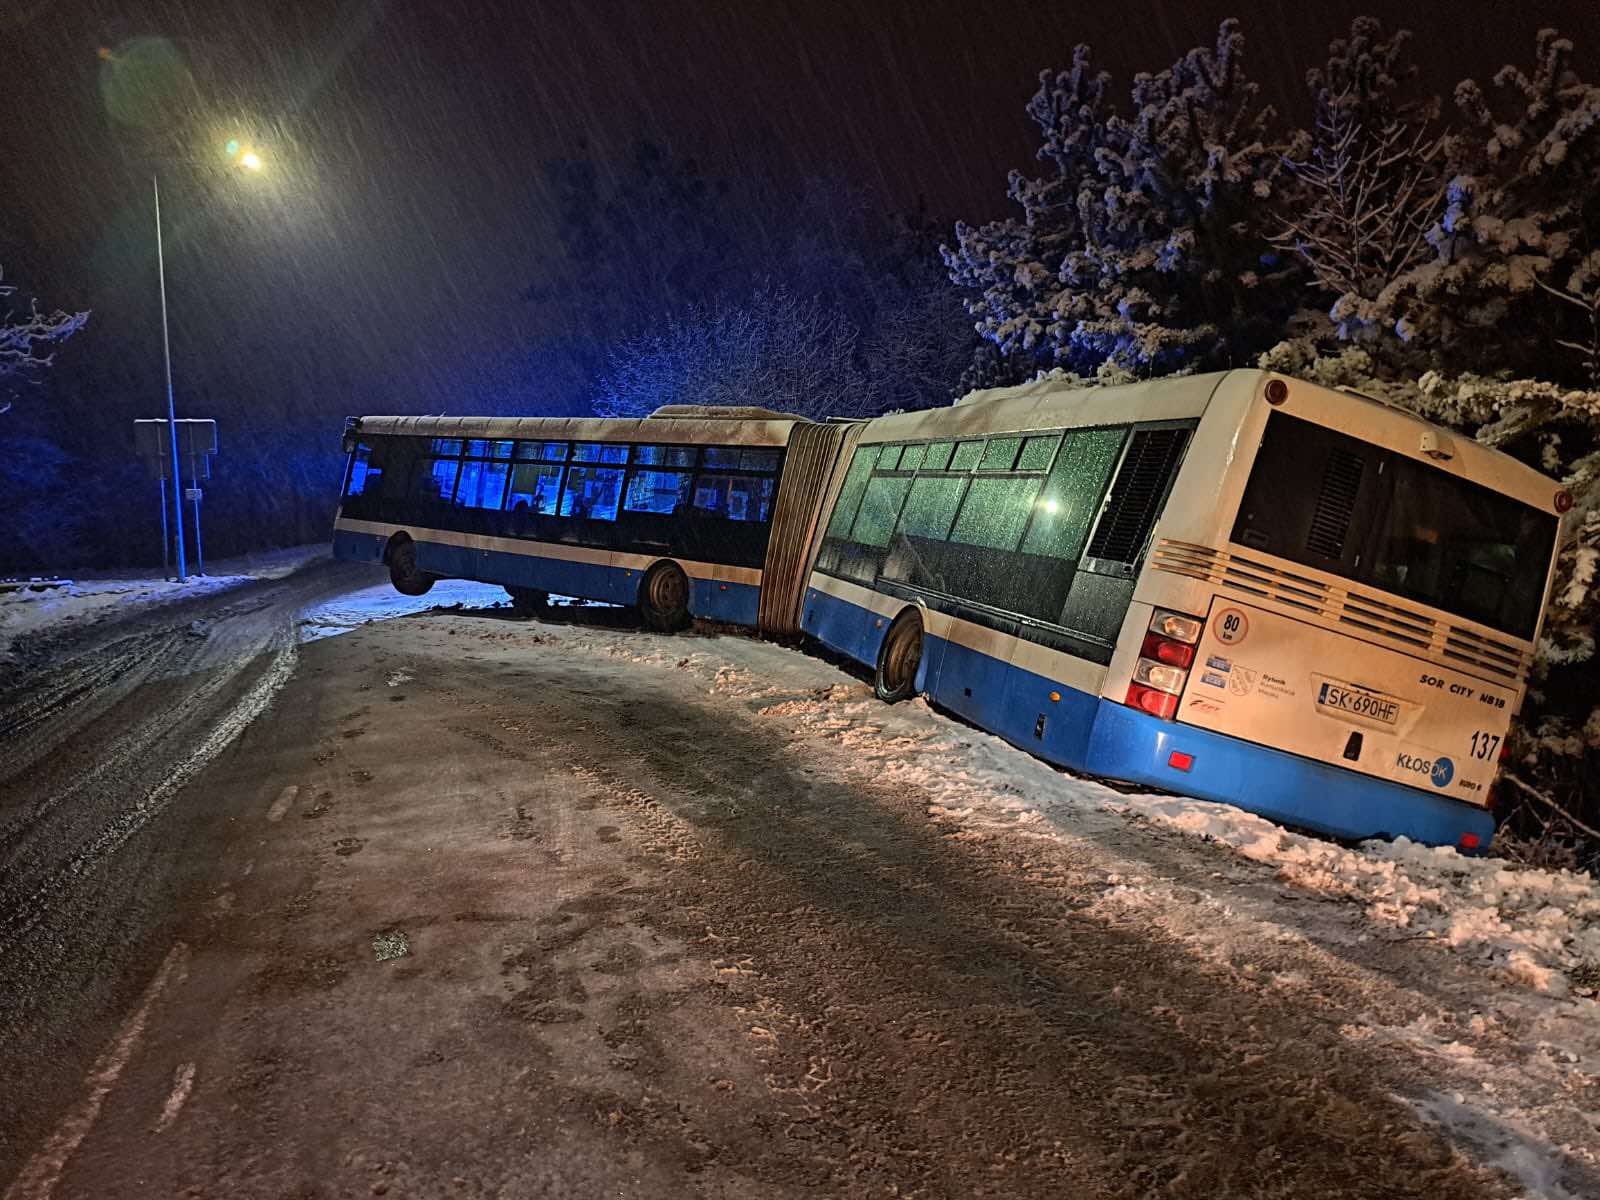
column 385, row 249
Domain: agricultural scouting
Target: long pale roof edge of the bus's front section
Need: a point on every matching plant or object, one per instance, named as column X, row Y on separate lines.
column 676, row 430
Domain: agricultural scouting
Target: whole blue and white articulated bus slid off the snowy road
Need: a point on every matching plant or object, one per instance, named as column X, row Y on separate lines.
column 1233, row 586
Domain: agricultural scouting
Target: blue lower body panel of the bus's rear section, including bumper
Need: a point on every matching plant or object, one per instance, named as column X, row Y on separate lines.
column 1098, row 737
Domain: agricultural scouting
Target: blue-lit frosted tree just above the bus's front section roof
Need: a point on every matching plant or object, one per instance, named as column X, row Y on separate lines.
column 766, row 350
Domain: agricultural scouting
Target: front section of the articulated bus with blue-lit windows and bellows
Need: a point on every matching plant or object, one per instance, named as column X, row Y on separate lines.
column 682, row 514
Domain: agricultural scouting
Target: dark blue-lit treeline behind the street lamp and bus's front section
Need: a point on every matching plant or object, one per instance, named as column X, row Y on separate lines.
column 665, row 284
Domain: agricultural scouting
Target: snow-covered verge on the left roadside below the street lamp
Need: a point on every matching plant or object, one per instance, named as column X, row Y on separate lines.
column 97, row 598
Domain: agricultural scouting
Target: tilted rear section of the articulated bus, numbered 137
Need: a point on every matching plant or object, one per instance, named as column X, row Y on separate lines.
column 1233, row 586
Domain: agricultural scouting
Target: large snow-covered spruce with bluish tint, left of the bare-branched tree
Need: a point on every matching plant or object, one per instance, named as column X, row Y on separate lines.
column 1146, row 244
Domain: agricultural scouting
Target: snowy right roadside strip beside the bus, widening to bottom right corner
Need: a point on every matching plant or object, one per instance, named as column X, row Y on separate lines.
column 1476, row 972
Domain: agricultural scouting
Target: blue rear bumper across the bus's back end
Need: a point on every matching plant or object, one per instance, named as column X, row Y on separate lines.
column 1137, row 748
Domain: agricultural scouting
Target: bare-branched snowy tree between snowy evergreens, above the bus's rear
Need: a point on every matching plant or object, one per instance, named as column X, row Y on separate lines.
column 1369, row 183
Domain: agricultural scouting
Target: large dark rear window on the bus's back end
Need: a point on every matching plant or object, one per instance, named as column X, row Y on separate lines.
column 1377, row 518
